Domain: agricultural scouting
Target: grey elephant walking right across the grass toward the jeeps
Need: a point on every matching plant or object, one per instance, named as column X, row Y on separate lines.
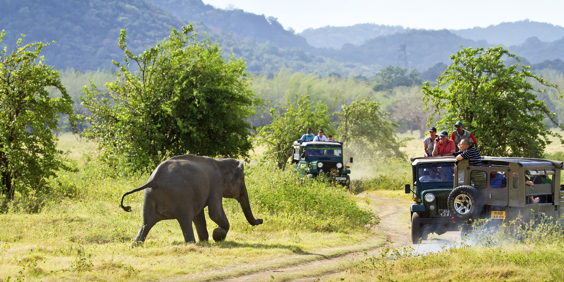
column 182, row 186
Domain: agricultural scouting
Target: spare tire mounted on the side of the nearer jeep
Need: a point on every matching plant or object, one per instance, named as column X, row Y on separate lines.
column 464, row 203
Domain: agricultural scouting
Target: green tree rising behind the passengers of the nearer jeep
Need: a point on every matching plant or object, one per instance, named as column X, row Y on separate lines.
column 497, row 103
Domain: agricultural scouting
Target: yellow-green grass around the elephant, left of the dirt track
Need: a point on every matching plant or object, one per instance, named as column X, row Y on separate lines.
column 80, row 233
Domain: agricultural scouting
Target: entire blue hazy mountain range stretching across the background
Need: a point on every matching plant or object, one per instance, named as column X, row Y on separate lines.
column 86, row 33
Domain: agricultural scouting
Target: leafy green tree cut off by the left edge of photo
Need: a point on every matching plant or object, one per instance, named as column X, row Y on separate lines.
column 28, row 116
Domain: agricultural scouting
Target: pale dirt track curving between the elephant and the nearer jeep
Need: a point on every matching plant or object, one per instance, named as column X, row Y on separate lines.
column 394, row 227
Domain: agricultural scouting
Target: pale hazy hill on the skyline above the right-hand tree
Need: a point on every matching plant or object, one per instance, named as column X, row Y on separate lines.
column 513, row 33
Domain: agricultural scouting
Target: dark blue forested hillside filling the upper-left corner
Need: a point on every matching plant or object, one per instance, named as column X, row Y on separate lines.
column 86, row 32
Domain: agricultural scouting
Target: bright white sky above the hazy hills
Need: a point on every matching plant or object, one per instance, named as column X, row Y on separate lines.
column 417, row 14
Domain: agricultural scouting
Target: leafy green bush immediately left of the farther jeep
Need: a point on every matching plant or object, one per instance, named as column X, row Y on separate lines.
column 289, row 124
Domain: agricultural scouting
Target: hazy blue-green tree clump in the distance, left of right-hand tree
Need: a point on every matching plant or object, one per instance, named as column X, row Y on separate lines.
column 394, row 76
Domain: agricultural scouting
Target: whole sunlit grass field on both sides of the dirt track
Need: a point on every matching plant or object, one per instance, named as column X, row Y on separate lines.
column 78, row 232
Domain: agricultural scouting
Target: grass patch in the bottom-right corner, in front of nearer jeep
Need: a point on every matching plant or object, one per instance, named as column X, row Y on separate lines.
column 511, row 252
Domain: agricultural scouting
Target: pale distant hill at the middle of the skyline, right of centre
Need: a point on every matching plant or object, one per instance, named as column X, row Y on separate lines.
column 337, row 36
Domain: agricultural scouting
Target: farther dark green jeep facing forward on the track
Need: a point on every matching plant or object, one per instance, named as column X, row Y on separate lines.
column 311, row 159
